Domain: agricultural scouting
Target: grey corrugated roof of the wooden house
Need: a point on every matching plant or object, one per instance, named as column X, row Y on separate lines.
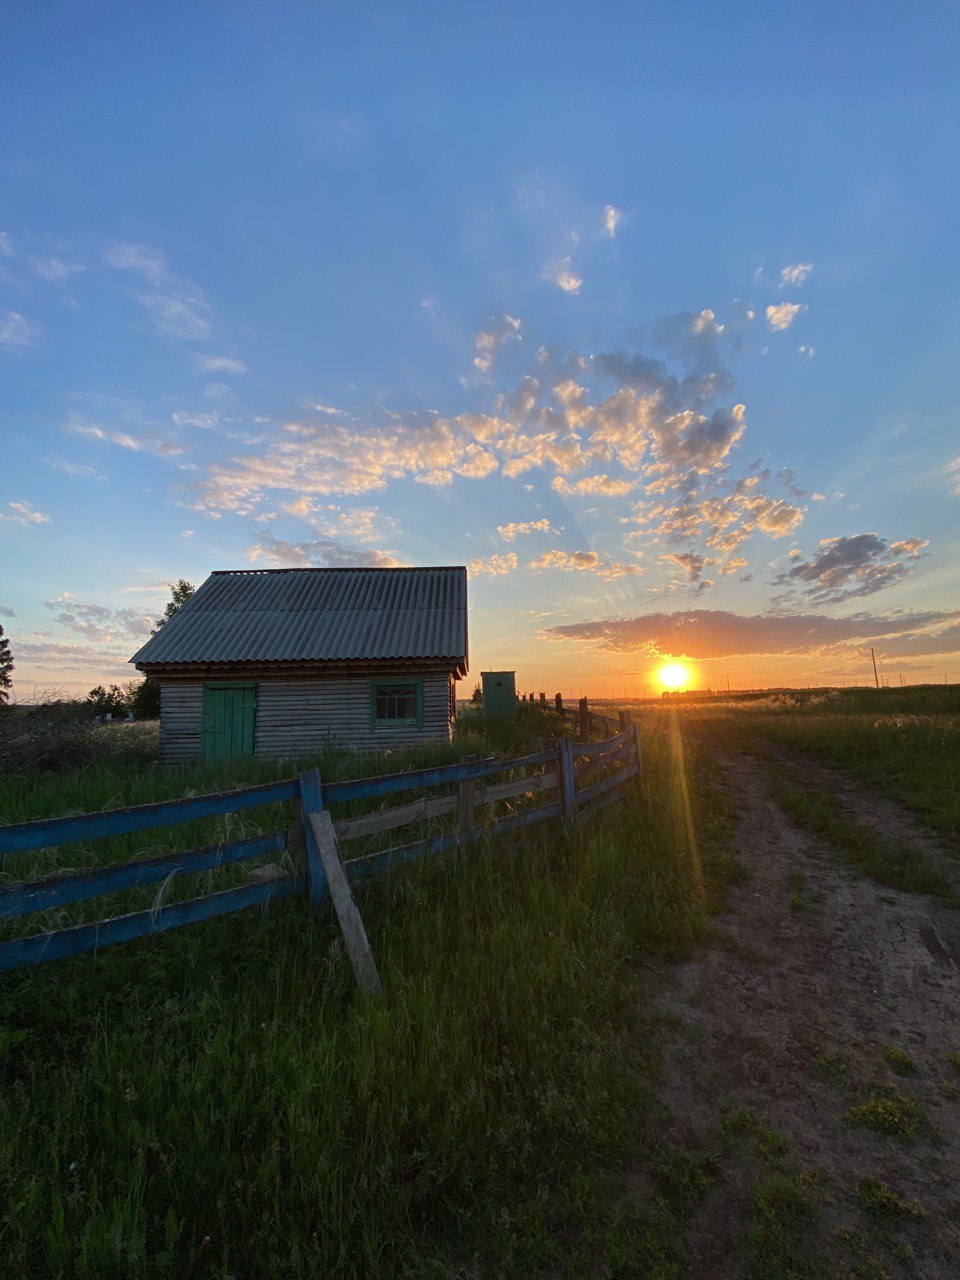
column 318, row 615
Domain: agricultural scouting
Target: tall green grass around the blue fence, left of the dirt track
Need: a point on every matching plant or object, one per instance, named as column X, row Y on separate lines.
column 221, row 1100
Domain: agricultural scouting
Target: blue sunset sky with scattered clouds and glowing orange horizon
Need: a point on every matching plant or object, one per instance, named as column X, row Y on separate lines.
column 646, row 313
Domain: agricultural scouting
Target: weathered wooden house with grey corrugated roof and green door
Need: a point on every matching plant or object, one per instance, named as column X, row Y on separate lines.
column 282, row 662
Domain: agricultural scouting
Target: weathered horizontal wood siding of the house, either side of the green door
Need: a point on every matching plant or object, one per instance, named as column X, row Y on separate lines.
column 296, row 717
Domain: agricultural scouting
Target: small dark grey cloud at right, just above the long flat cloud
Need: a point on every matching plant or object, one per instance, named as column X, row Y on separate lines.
column 849, row 568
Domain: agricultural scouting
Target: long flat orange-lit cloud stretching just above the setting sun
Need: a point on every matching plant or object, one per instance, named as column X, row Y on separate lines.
column 705, row 634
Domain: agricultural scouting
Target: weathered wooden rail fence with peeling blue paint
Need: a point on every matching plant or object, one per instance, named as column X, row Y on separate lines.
column 577, row 780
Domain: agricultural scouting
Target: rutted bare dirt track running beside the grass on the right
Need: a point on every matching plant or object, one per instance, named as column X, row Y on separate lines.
column 863, row 968
